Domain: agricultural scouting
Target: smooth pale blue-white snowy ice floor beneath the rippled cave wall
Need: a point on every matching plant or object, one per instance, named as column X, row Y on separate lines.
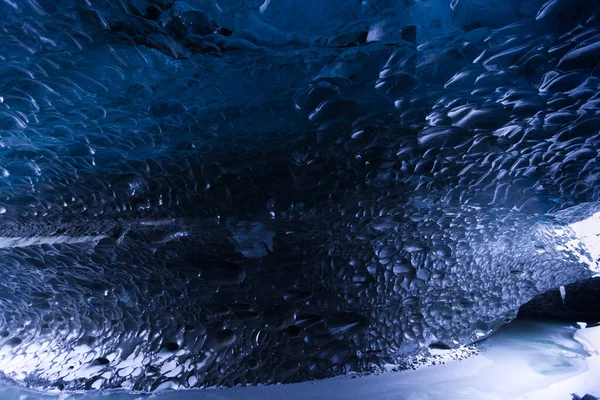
column 524, row 360
